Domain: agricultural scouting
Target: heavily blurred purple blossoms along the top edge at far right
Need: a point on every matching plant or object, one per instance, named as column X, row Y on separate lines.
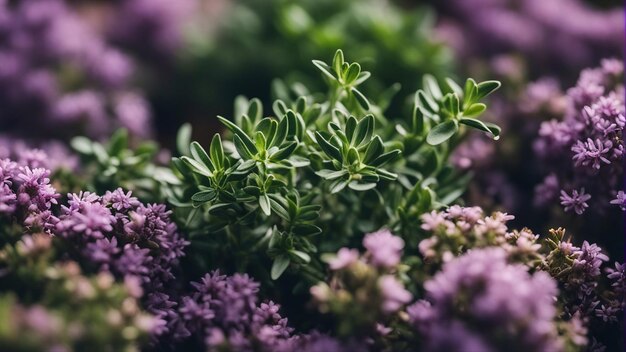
column 536, row 29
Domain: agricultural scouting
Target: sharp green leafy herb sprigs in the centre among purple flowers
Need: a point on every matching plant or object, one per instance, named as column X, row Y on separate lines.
column 317, row 171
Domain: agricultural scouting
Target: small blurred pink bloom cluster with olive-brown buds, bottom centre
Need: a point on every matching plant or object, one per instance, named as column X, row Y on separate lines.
column 364, row 291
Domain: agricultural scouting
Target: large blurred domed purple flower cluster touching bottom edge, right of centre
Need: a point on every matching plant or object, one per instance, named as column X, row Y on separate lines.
column 479, row 302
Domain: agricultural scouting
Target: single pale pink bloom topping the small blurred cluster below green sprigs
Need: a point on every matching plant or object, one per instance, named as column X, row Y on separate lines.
column 384, row 248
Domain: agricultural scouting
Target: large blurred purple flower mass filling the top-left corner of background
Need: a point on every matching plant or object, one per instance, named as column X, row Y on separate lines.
column 55, row 71
